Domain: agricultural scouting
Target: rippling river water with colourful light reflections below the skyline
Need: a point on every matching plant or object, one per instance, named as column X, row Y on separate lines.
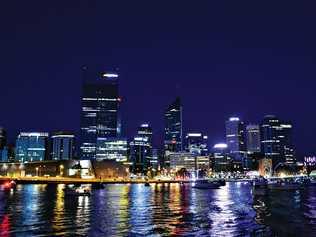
column 158, row 210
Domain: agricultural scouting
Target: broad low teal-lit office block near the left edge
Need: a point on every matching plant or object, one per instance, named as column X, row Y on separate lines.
column 32, row 147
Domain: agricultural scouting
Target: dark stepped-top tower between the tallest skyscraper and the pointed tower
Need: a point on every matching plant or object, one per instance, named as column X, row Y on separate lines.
column 141, row 149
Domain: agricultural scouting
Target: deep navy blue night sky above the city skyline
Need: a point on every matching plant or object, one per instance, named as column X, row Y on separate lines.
column 223, row 58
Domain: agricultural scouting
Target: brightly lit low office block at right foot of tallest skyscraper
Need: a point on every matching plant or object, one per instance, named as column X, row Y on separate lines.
column 112, row 149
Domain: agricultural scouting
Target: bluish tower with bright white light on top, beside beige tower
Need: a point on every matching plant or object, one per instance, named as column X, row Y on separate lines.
column 235, row 138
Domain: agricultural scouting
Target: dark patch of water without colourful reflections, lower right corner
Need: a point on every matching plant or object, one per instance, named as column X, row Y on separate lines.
column 287, row 213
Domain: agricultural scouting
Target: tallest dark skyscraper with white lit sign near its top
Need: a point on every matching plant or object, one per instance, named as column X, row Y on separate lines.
column 100, row 111
